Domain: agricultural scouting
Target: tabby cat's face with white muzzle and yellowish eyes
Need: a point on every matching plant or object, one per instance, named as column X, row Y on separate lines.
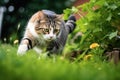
column 48, row 27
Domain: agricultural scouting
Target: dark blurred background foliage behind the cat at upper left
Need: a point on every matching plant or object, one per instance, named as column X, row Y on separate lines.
column 17, row 13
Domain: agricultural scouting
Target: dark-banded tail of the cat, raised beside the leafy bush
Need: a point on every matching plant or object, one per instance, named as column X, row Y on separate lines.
column 71, row 23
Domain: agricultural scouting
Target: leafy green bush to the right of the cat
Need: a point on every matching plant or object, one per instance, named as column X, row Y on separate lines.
column 100, row 24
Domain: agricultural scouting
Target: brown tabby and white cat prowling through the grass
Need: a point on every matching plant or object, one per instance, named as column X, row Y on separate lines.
column 46, row 29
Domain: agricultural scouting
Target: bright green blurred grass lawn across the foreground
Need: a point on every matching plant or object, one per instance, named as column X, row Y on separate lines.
column 31, row 67
